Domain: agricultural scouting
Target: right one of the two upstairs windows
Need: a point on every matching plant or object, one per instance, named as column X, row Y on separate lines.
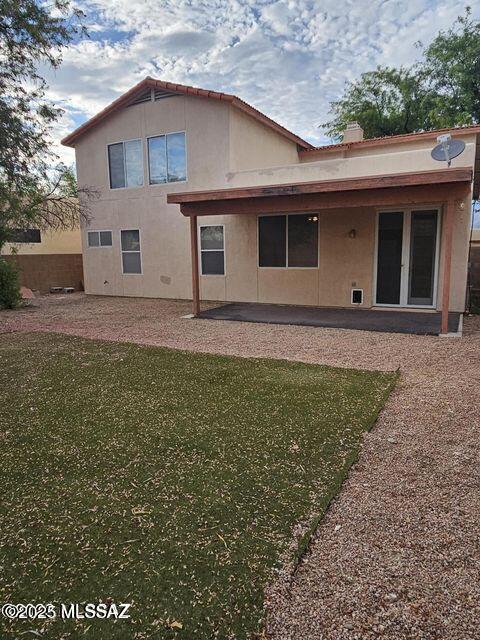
column 167, row 158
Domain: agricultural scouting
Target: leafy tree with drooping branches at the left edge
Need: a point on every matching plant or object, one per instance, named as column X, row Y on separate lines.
column 35, row 191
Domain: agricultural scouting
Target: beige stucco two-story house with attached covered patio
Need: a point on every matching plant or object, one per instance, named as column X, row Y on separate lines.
column 266, row 216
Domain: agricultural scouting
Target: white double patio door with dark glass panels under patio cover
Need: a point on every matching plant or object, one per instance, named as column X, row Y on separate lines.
column 406, row 261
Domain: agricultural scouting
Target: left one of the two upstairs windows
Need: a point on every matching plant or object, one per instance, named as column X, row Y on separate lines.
column 125, row 164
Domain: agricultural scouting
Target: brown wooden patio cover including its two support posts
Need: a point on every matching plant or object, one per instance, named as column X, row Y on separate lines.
column 444, row 186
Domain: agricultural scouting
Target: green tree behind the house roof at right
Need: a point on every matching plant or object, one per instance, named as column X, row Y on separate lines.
column 442, row 90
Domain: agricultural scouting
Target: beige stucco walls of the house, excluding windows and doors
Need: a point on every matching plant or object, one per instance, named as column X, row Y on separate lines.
column 226, row 148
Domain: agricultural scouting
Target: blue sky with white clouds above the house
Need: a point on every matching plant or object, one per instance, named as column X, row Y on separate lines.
column 287, row 58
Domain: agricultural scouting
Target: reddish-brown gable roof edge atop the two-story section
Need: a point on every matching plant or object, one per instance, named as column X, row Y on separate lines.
column 170, row 88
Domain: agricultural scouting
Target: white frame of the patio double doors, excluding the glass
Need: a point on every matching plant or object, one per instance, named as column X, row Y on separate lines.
column 404, row 282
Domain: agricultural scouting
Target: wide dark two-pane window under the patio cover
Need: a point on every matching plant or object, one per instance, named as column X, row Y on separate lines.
column 288, row 241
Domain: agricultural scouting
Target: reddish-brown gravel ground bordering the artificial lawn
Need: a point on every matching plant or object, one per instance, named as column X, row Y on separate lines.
column 398, row 553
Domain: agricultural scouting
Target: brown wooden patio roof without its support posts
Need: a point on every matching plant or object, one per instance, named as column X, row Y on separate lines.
column 421, row 186
